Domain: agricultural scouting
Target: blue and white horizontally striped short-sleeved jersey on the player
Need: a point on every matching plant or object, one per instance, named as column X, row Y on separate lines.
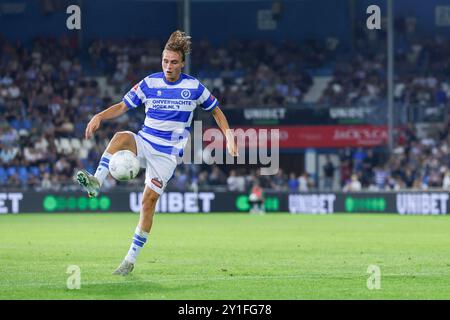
column 169, row 109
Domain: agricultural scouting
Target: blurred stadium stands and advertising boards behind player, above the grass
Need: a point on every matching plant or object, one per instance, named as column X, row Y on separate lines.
column 320, row 78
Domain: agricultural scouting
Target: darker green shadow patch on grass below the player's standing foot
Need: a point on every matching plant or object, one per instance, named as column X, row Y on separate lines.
column 133, row 287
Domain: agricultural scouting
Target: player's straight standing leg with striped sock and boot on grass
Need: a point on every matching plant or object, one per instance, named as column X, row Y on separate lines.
column 149, row 199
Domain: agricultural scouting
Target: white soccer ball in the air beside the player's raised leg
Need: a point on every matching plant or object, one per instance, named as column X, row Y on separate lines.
column 124, row 165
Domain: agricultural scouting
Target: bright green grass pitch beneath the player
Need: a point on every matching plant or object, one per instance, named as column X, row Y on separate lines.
column 226, row 256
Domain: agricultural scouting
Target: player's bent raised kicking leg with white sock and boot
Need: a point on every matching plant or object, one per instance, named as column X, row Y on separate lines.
column 91, row 183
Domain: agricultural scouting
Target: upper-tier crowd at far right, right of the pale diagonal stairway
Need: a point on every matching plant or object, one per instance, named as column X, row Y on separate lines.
column 422, row 68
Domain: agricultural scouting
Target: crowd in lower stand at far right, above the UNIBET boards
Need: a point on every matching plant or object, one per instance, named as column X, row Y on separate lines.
column 416, row 163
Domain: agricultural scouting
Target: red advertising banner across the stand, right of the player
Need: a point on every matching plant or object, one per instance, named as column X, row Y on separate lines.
column 338, row 136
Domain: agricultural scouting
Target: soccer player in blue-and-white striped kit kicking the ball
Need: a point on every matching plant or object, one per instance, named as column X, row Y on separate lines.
column 170, row 98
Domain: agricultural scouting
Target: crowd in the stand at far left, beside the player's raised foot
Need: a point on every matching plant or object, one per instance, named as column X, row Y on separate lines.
column 45, row 102
